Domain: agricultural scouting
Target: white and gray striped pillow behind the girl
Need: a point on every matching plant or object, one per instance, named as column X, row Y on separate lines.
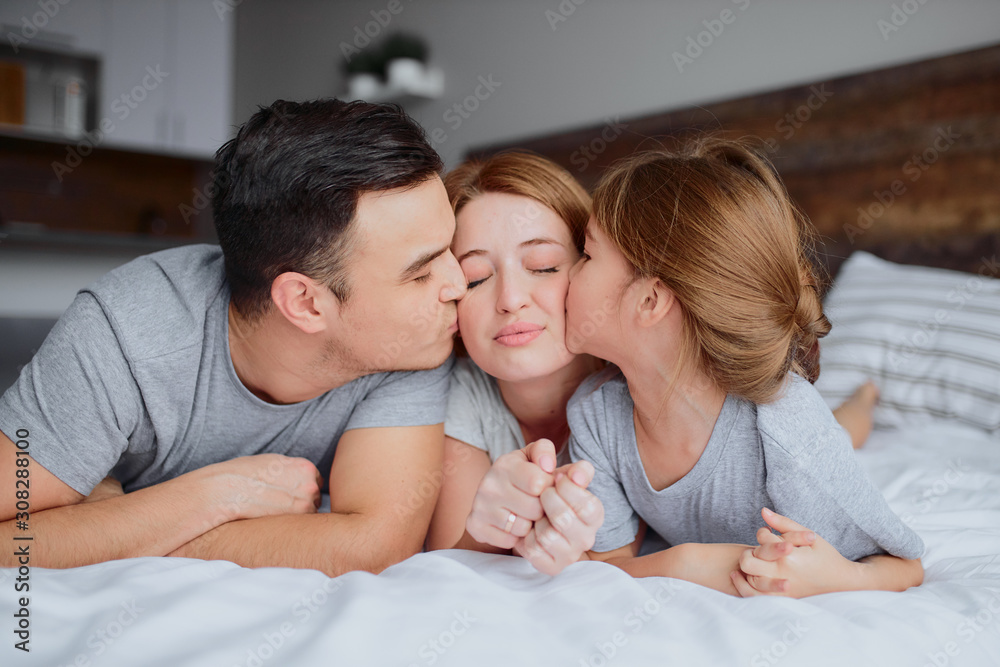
column 929, row 338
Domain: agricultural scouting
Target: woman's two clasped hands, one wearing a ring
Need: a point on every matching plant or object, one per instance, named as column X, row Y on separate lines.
column 544, row 513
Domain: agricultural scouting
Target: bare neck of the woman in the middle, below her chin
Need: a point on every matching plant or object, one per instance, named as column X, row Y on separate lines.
column 539, row 404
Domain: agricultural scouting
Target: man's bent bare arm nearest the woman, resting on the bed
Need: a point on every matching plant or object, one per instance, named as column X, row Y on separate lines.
column 383, row 487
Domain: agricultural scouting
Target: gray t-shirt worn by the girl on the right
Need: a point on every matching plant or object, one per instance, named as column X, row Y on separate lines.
column 790, row 455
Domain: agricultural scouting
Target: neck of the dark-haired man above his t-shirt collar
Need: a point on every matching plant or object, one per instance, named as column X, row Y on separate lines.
column 279, row 363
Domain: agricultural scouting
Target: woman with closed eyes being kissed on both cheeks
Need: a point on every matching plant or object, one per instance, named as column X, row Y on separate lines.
column 521, row 222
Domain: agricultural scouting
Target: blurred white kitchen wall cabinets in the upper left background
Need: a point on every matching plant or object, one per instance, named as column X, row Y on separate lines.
column 166, row 78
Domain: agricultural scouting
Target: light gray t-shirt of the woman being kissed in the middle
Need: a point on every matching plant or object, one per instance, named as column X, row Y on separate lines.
column 478, row 416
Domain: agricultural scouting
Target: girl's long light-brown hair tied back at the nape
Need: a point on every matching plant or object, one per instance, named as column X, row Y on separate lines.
column 713, row 222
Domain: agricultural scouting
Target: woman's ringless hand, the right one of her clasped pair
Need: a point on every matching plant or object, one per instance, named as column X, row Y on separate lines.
column 572, row 517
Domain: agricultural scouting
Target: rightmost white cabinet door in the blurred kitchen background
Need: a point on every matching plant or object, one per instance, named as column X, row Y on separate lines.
column 203, row 75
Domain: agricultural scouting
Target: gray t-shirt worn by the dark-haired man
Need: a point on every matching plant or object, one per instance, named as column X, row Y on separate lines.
column 136, row 379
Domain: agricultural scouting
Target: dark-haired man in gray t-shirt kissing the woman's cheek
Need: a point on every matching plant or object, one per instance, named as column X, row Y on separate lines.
column 212, row 383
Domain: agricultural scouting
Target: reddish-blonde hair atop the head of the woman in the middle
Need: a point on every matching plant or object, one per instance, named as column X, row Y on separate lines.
column 526, row 174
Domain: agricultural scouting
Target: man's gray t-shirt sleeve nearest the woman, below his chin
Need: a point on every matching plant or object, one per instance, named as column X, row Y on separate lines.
column 405, row 398
